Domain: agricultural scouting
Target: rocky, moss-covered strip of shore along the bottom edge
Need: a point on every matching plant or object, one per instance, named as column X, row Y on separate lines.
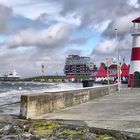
column 12, row 127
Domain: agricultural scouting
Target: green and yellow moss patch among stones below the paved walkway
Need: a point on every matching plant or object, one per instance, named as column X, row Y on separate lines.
column 58, row 130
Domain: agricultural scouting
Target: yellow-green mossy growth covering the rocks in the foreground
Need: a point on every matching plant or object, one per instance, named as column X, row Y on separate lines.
column 54, row 129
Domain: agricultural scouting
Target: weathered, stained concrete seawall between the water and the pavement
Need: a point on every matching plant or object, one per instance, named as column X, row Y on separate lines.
column 34, row 105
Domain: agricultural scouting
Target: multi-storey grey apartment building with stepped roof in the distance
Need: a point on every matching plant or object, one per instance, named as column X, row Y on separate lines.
column 78, row 66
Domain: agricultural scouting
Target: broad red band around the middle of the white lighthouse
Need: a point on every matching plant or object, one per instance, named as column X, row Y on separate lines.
column 135, row 55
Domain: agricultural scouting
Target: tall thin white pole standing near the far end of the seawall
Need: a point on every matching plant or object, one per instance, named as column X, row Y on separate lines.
column 118, row 68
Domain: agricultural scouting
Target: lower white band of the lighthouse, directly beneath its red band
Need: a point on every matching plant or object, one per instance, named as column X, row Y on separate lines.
column 134, row 66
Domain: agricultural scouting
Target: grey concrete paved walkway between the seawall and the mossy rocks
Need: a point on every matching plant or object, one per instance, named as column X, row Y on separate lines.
column 119, row 111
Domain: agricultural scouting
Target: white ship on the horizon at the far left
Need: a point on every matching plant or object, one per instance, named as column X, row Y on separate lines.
column 11, row 76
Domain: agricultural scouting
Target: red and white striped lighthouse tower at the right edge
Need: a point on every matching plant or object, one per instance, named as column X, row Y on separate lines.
column 134, row 72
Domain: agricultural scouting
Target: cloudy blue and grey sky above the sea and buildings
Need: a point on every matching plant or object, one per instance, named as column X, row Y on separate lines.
column 35, row 32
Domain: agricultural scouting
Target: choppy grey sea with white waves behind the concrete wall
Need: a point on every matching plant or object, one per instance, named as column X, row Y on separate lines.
column 10, row 93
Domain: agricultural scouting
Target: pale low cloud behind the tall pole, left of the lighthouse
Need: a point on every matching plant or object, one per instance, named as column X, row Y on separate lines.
column 108, row 48
